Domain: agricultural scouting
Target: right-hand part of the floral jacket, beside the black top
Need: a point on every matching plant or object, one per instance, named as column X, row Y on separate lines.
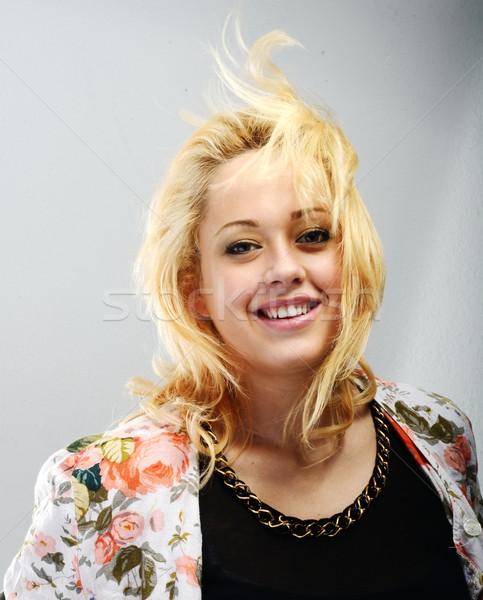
column 441, row 439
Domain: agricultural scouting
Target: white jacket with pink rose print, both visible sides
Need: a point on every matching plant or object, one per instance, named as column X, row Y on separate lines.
column 117, row 515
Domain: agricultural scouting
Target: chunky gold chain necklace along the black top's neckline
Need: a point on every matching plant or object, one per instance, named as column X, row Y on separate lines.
column 311, row 527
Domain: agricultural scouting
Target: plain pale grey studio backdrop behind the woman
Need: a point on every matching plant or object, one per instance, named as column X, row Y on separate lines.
column 89, row 99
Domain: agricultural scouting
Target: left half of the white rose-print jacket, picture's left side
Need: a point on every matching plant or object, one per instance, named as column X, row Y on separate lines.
column 116, row 516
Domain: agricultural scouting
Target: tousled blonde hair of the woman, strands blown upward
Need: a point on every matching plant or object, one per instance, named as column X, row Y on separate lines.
column 202, row 382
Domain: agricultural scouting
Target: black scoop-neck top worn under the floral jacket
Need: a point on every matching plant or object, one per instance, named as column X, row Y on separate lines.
column 401, row 549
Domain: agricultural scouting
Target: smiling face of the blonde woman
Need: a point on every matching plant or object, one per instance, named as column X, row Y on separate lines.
column 270, row 272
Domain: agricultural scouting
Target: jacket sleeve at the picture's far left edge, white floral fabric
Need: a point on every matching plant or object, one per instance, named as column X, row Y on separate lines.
column 47, row 563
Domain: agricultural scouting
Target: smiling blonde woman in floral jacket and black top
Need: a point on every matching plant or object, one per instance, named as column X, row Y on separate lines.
column 264, row 274
